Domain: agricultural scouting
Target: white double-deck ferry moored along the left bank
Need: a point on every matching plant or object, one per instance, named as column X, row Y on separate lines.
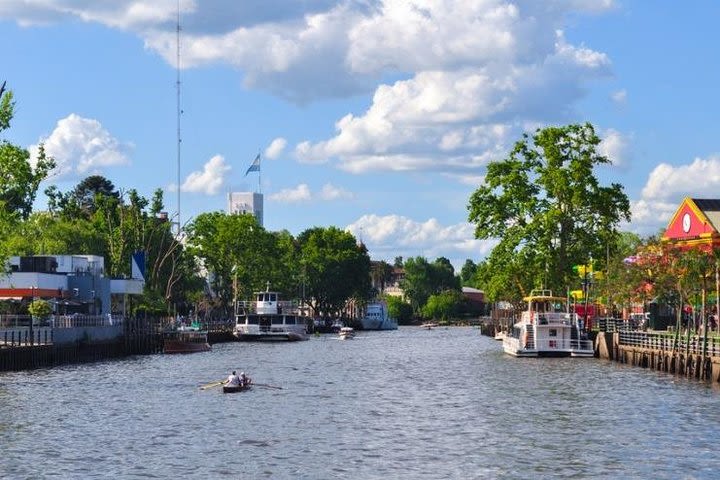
column 269, row 319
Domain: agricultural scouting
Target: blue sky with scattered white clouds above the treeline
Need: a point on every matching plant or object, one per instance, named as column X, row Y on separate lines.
column 375, row 116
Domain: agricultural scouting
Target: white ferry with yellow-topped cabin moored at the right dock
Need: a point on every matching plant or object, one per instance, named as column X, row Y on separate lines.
column 547, row 329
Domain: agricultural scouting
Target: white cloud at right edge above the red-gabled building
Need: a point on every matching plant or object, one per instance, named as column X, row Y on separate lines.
column 701, row 178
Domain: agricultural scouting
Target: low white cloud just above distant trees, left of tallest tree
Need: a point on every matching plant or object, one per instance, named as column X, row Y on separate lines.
column 394, row 235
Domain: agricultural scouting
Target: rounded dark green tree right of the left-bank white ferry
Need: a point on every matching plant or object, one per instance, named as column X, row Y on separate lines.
column 336, row 269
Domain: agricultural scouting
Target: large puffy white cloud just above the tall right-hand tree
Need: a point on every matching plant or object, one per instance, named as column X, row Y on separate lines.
column 459, row 118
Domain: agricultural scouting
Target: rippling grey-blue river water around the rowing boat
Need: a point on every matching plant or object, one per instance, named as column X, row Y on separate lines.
column 410, row 403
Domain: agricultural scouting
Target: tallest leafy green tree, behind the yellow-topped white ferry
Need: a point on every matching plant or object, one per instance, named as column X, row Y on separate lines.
column 547, row 208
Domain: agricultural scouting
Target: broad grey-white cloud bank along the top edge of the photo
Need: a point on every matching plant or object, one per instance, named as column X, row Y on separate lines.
column 329, row 48
